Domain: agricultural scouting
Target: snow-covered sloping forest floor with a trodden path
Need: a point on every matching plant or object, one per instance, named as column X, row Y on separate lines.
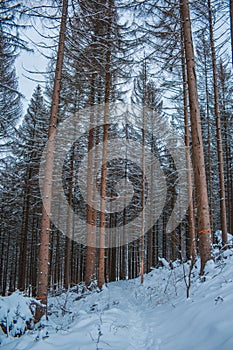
column 129, row 316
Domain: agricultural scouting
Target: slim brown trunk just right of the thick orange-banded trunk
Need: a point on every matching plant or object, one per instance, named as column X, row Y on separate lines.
column 218, row 132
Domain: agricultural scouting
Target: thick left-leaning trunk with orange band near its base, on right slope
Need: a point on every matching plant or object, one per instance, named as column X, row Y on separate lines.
column 204, row 229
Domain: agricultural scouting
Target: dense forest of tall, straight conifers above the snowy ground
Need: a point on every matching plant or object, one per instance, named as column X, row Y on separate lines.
column 122, row 162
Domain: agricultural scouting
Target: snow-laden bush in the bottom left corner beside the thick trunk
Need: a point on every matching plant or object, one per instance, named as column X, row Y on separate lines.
column 15, row 315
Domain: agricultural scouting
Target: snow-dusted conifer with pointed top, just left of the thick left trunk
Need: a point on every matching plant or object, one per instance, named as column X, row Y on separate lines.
column 31, row 139
